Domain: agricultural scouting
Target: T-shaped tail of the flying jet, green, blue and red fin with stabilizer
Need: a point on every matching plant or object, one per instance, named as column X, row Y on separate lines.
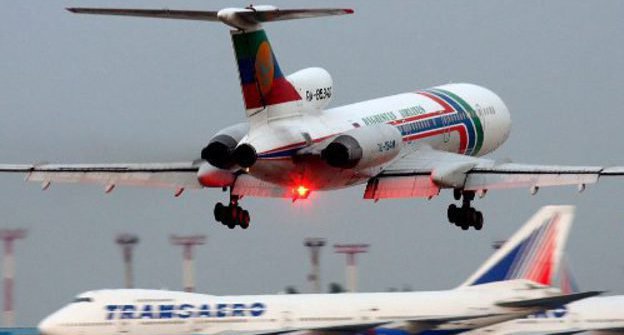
column 262, row 81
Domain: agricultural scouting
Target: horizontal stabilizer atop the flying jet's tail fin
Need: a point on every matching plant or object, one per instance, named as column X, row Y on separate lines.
column 241, row 18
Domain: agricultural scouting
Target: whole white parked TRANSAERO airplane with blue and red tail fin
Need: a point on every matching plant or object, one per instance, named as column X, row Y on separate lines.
column 514, row 282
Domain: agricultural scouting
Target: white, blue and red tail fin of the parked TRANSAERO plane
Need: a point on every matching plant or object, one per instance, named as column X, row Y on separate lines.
column 533, row 253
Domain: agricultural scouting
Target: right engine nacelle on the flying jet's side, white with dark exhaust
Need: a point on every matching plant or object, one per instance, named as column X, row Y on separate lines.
column 364, row 147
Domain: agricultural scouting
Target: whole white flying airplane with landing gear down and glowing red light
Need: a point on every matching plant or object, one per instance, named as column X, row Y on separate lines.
column 409, row 145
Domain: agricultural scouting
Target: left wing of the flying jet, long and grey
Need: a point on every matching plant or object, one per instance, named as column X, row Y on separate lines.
column 175, row 175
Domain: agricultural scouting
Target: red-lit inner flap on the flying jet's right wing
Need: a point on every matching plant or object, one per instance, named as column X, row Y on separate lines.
column 415, row 186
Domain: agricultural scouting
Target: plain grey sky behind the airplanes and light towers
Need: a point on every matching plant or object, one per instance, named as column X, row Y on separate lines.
column 103, row 89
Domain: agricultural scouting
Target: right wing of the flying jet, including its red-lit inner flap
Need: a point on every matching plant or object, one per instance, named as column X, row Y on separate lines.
column 423, row 172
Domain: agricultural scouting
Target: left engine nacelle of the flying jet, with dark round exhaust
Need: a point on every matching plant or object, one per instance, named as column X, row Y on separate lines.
column 219, row 150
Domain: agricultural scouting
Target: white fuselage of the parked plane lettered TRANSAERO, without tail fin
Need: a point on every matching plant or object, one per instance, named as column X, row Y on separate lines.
column 152, row 312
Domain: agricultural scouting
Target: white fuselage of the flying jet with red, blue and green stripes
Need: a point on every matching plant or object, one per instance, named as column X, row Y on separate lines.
column 460, row 118
